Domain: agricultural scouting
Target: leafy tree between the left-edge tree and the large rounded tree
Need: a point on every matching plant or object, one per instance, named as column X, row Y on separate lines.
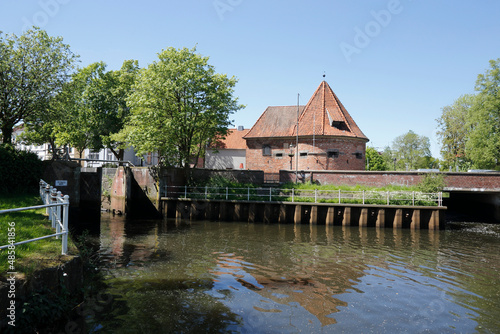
column 94, row 103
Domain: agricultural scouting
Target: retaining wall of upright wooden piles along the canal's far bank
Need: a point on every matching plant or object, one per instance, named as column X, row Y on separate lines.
column 381, row 216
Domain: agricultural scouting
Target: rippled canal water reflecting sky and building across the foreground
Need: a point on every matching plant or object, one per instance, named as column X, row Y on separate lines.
column 210, row 277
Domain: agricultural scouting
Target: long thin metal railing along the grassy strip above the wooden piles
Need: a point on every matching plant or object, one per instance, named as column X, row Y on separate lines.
column 409, row 198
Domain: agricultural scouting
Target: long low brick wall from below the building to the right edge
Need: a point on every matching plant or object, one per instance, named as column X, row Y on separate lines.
column 488, row 181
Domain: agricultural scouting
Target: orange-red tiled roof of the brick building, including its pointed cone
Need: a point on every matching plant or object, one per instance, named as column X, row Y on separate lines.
column 323, row 115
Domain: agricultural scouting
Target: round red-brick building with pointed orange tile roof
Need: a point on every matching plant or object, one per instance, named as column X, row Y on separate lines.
column 328, row 138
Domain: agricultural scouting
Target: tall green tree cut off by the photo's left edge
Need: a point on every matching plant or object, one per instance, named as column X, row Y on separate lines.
column 33, row 68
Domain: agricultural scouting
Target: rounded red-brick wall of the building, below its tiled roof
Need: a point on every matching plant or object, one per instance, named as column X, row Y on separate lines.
column 345, row 154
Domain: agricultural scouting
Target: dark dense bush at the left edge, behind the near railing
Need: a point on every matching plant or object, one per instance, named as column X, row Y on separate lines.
column 20, row 171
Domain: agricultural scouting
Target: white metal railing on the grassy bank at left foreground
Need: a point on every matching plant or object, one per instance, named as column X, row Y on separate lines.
column 57, row 209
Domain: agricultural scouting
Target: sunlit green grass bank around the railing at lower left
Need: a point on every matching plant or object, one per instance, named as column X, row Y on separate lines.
column 28, row 225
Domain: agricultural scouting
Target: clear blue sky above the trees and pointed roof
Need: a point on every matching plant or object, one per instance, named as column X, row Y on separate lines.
column 393, row 63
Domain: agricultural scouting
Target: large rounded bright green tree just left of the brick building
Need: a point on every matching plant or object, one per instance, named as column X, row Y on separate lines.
column 179, row 103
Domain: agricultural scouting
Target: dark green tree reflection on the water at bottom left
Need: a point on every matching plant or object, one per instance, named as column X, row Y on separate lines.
column 164, row 306
